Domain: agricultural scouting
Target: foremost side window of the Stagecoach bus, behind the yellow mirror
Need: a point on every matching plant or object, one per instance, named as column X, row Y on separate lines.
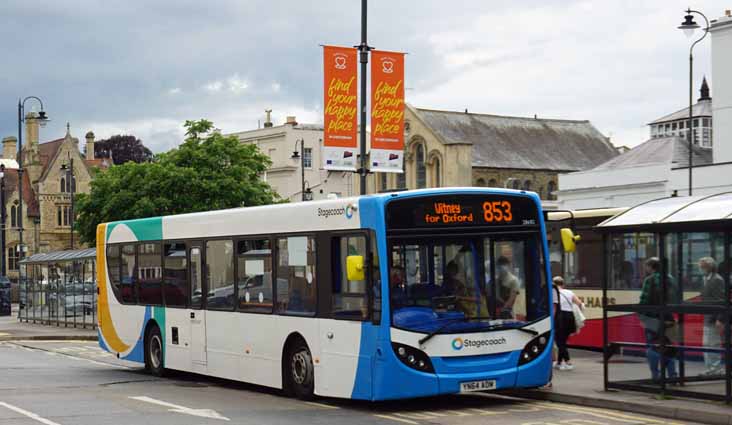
column 350, row 297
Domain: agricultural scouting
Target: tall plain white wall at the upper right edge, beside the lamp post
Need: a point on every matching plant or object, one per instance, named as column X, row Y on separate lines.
column 722, row 99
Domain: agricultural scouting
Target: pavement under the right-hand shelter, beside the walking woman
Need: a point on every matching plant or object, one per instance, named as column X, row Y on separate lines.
column 584, row 386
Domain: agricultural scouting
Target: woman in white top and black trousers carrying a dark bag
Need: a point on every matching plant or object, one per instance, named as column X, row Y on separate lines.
column 564, row 321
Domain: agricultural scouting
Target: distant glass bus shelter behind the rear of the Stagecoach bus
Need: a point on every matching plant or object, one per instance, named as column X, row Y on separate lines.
column 59, row 289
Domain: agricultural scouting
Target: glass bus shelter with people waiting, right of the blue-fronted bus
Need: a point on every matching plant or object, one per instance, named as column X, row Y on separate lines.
column 666, row 297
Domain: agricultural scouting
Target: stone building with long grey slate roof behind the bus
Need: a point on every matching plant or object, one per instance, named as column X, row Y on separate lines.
column 446, row 148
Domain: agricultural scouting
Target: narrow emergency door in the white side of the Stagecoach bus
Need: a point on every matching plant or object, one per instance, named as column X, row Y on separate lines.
column 198, row 300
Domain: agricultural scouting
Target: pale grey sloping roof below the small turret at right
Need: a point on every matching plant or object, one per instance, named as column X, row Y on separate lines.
column 673, row 151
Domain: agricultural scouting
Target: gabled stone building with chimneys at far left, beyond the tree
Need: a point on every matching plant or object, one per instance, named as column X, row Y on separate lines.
column 47, row 191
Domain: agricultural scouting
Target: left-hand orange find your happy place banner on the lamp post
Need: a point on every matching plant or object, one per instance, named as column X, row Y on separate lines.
column 340, row 106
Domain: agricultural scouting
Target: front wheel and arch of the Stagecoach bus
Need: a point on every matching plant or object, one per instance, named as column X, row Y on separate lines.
column 298, row 370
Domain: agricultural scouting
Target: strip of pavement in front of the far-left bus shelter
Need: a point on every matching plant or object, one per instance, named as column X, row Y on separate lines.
column 11, row 329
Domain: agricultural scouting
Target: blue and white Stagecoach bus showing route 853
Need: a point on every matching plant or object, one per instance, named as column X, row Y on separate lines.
column 387, row 296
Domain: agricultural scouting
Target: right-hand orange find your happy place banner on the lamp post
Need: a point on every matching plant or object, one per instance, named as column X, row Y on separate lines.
column 387, row 111
